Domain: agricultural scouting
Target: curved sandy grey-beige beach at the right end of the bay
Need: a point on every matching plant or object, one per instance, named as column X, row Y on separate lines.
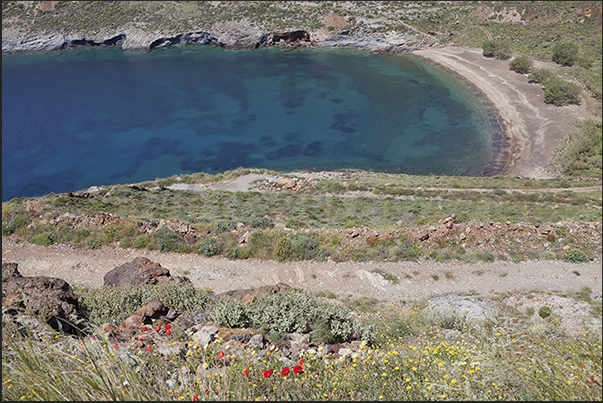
column 533, row 128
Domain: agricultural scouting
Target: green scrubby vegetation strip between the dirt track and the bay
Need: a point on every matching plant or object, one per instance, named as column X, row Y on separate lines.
column 240, row 225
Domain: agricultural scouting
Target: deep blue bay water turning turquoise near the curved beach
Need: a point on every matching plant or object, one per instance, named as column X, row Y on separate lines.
column 78, row 118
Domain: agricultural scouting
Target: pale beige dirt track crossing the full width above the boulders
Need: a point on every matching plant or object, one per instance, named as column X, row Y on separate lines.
column 82, row 266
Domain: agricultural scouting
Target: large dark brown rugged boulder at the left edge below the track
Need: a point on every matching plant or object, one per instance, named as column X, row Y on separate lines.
column 49, row 298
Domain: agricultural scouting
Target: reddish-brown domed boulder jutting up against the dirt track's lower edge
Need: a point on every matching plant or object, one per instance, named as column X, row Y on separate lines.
column 140, row 271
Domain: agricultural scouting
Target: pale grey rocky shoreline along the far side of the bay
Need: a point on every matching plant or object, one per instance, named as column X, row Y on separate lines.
column 228, row 35
